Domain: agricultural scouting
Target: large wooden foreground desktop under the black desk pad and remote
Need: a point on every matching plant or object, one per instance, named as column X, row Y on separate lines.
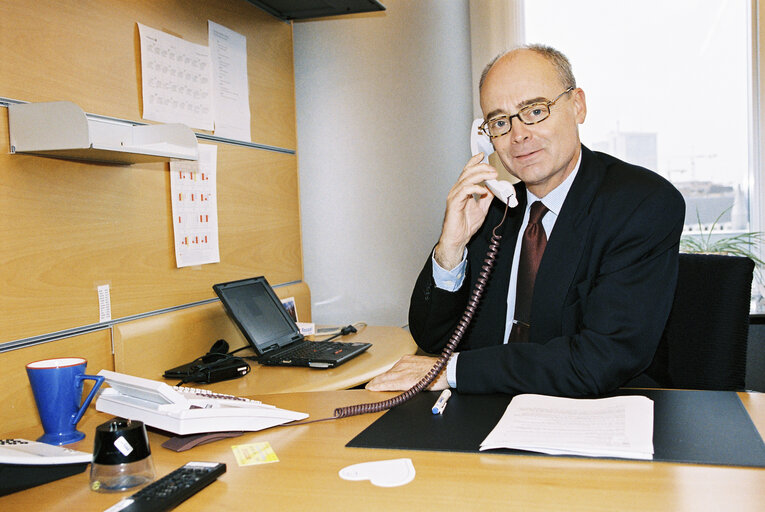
column 310, row 456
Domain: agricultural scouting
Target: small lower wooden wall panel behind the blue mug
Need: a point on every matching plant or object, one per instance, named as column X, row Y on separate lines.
column 19, row 409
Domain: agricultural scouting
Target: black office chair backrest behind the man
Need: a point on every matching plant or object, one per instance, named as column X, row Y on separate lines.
column 704, row 342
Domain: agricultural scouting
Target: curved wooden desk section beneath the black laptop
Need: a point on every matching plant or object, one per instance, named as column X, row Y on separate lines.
column 389, row 344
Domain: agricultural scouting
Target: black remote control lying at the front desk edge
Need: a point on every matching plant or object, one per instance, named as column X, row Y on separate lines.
column 173, row 488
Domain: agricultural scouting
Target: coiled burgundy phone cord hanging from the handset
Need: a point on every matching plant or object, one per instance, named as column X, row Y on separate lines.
column 456, row 337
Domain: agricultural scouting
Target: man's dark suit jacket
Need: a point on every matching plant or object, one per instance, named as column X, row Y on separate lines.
column 602, row 296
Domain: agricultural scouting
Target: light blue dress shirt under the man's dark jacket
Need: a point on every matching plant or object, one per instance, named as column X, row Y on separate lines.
column 451, row 280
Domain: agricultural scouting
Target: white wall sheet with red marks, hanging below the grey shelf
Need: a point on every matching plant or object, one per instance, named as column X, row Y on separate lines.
column 195, row 208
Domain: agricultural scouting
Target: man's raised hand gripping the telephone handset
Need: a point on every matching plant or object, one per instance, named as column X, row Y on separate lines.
column 464, row 214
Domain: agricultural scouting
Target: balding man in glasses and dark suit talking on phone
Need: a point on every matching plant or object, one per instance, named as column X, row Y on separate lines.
column 606, row 280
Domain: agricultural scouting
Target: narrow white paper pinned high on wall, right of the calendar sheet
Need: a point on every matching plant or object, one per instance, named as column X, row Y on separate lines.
column 231, row 99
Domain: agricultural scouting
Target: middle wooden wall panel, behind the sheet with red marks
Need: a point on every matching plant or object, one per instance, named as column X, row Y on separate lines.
column 70, row 226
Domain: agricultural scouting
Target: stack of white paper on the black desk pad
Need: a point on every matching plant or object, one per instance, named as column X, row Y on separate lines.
column 620, row 426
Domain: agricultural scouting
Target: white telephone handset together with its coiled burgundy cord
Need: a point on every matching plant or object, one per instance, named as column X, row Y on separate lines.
column 505, row 192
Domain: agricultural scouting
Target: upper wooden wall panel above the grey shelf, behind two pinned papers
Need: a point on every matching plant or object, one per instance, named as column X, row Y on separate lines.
column 89, row 53
